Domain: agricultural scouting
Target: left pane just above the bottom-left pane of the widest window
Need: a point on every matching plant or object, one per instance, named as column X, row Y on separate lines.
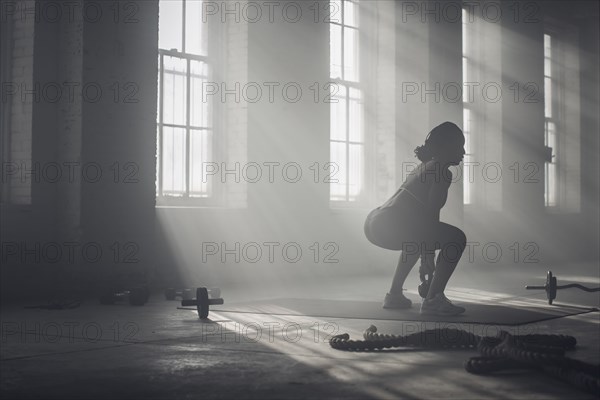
column 174, row 90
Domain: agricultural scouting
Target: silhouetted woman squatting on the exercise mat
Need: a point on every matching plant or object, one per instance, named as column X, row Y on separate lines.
column 410, row 219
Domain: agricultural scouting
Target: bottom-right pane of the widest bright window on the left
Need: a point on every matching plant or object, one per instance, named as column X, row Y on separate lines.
column 200, row 155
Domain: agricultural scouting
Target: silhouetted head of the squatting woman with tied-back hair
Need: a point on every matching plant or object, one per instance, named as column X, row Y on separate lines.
column 444, row 143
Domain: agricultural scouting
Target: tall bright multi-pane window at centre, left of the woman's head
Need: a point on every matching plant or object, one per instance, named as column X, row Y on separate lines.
column 347, row 145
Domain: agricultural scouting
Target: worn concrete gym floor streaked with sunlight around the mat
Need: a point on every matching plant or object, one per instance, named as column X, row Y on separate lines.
column 158, row 351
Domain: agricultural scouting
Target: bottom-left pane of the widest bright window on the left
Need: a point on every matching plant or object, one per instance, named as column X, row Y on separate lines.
column 173, row 161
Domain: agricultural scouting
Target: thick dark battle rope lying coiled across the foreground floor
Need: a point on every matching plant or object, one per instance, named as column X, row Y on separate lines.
column 505, row 351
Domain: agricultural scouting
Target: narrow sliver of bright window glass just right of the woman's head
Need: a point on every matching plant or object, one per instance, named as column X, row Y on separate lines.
column 467, row 108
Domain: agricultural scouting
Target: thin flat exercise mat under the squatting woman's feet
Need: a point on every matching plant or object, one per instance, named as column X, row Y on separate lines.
column 499, row 314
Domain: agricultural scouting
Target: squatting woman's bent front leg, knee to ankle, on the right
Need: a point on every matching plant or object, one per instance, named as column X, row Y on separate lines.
column 452, row 242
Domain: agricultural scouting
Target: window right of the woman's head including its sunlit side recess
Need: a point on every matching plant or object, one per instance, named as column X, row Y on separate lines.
column 482, row 114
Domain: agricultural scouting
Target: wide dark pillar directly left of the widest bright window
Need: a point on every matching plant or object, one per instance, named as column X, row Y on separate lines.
column 120, row 55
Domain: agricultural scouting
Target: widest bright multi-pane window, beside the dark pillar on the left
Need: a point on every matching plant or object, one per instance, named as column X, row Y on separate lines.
column 185, row 135
